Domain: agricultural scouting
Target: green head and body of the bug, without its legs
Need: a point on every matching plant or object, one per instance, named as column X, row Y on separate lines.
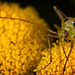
column 68, row 29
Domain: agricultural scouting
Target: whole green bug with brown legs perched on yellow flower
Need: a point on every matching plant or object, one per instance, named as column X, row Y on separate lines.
column 65, row 32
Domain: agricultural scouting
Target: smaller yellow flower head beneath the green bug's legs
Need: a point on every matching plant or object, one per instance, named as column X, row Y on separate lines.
column 58, row 60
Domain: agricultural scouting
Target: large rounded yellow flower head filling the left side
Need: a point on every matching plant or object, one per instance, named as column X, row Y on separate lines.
column 21, row 43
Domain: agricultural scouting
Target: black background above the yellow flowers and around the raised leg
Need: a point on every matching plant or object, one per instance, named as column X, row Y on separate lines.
column 45, row 8
